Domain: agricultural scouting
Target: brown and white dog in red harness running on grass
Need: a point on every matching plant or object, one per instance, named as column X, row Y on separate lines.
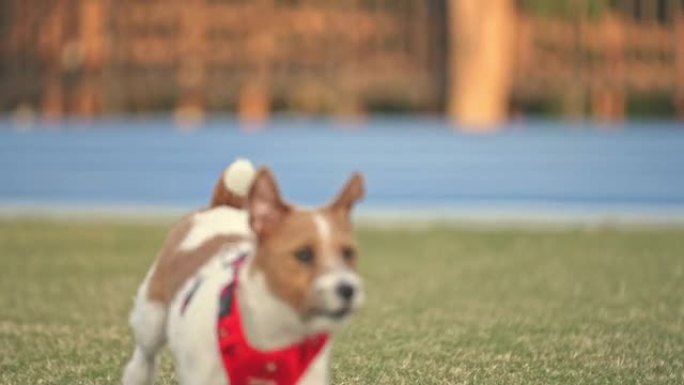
column 292, row 272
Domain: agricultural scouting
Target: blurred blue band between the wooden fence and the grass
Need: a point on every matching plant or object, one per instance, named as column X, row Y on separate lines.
column 418, row 164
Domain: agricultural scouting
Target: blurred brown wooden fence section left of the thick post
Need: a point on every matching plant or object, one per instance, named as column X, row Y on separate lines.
column 93, row 56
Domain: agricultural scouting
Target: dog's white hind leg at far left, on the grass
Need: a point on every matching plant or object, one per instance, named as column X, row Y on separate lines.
column 148, row 322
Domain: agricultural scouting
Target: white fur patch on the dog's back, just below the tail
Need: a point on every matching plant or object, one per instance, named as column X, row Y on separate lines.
column 221, row 220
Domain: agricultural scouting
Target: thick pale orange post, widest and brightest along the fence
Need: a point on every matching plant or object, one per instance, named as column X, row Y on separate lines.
column 480, row 61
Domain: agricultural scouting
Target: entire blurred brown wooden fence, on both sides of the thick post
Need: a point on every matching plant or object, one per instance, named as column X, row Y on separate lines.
column 87, row 57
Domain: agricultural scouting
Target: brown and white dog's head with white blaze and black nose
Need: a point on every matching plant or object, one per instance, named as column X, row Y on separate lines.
column 308, row 256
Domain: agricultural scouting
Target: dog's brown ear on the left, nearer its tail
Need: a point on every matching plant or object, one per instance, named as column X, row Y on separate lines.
column 265, row 206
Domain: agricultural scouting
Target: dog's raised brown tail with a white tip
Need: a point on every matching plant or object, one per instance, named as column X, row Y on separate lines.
column 232, row 187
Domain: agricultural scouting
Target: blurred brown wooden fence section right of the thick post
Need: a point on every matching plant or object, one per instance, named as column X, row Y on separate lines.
column 592, row 65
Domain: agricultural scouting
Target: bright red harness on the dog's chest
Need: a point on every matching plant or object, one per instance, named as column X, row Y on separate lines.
column 246, row 365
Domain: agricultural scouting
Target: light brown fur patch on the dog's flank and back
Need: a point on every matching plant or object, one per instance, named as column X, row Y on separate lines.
column 174, row 266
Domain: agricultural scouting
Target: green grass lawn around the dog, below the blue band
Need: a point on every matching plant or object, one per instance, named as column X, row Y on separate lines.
column 445, row 306
